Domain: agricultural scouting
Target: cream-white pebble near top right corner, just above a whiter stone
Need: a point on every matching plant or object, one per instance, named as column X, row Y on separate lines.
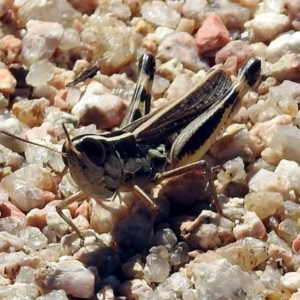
column 268, row 25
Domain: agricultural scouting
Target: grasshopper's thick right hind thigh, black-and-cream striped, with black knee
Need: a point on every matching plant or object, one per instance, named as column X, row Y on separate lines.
column 193, row 142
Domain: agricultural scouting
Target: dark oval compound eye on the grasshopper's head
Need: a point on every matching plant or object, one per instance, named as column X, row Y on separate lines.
column 93, row 150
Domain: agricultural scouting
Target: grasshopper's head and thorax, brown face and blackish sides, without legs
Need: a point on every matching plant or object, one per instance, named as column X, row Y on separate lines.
column 101, row 165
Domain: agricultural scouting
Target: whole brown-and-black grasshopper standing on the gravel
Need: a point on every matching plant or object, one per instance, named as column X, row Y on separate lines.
column 131, row 159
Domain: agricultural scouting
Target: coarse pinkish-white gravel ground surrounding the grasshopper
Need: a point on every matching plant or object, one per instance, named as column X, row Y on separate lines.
column 251, row 252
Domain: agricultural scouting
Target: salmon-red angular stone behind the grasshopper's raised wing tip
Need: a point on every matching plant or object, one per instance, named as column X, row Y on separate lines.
column 212, row 35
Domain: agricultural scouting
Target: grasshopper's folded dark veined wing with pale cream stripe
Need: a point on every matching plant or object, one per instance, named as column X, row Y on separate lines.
column 179, row 113
